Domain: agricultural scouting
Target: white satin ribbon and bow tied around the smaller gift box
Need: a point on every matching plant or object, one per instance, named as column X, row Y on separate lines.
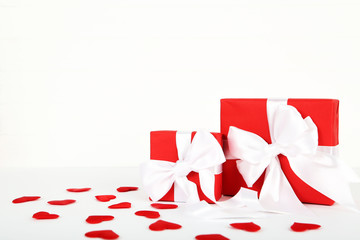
column 203, row 155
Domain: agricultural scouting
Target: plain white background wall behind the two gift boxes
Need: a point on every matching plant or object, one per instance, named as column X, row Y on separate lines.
column 82, row 82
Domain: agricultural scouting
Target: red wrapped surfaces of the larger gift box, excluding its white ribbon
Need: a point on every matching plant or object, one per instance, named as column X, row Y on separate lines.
column 251, row 115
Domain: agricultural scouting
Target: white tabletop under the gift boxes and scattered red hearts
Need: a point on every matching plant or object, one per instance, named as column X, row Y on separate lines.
column 16, row 219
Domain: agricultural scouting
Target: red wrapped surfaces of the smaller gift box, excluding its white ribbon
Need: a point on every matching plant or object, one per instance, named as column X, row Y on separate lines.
column 163, row 147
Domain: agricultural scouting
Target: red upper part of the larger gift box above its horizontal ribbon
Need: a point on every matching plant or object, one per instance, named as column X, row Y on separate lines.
column 250, row 114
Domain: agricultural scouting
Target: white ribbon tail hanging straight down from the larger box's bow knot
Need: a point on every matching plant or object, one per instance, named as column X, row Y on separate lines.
column 277, row 194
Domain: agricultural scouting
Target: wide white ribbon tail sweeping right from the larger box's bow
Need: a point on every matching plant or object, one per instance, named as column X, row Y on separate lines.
column 328, row 180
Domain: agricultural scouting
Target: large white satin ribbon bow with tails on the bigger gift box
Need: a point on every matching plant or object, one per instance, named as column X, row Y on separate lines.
column 297, row 139
